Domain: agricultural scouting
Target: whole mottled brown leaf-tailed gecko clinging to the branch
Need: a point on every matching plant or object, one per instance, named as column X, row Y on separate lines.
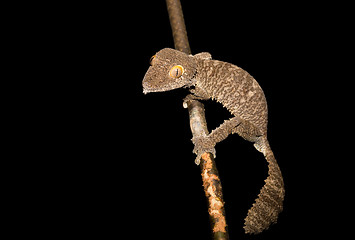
column 243, row 97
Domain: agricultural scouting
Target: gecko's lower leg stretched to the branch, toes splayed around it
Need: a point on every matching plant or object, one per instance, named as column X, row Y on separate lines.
column 207, row 143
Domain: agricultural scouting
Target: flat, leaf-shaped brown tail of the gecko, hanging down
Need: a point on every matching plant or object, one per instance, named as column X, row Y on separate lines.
column 269, row 203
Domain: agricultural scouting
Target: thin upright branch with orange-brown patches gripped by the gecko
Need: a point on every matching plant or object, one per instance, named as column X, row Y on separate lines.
column 211, row 181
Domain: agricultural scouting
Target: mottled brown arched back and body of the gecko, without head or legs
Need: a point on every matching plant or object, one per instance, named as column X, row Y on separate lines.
column 236, row 90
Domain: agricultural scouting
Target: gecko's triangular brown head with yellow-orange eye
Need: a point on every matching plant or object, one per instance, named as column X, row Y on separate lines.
column 170, row 69
